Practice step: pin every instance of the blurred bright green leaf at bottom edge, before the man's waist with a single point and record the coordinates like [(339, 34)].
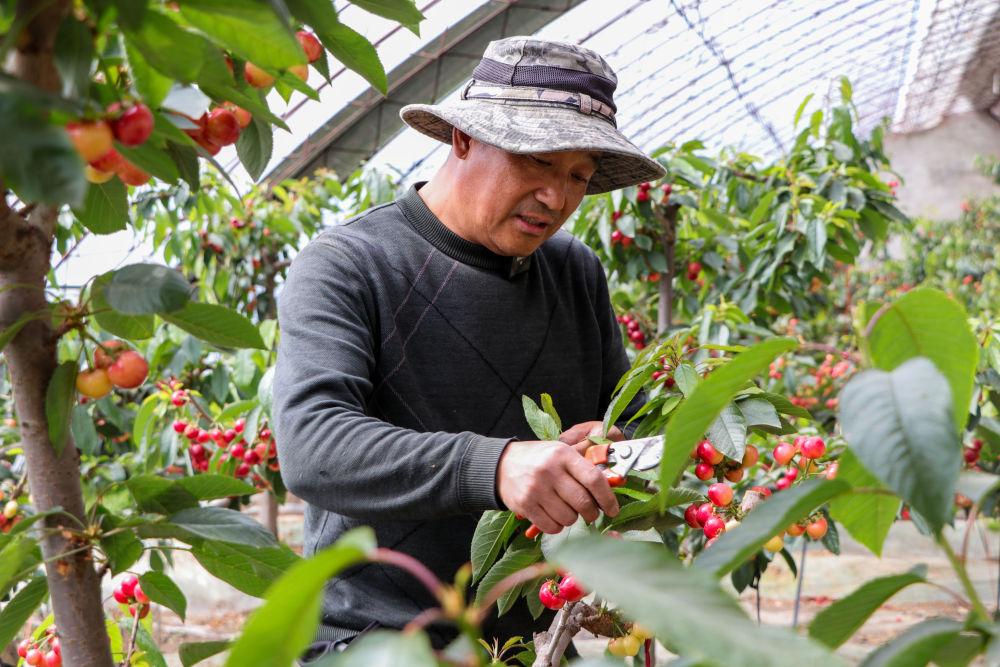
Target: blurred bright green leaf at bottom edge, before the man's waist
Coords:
[(277, 633)]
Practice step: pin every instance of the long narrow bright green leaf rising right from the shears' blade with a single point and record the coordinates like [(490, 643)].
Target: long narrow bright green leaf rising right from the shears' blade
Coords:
[(689, 422)]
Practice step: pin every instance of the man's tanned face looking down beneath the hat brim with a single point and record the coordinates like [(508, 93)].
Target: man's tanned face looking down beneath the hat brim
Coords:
[(514, 202)]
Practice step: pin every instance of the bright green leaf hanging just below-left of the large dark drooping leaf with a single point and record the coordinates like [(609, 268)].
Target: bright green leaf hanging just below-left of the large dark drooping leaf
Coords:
[(866, 516)]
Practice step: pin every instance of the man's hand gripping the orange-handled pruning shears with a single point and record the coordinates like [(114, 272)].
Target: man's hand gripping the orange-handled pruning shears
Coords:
[(552, 484)]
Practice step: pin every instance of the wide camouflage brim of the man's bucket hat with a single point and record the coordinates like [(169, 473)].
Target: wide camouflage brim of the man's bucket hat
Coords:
[(519, 128)]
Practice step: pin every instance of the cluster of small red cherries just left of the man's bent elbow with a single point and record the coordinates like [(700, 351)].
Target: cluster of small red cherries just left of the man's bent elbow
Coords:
[(204, 444)]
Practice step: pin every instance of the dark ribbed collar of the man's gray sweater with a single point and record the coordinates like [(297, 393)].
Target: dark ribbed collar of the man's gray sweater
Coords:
[(437, 234)]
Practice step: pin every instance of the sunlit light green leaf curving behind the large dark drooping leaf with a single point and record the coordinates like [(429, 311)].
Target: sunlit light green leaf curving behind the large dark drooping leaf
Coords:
[(927, 323)]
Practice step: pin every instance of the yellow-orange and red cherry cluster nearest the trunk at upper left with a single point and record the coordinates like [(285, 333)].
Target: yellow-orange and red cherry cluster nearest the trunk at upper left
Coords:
[(129, 125)]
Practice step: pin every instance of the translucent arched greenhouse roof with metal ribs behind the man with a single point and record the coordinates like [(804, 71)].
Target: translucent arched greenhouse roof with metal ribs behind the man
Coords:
[(730, 72)]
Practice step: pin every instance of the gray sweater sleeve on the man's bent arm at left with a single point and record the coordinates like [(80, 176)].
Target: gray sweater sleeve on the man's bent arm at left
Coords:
[(335, 456)]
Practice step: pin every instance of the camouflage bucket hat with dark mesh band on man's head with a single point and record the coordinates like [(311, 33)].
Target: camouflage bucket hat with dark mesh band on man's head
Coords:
[(530, 95)]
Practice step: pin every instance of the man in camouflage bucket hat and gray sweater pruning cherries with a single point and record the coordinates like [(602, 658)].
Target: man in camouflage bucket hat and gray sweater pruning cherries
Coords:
[(410, 334)]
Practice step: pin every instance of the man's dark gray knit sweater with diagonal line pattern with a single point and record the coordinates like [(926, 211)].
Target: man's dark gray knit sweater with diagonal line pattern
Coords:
[(404, 353)]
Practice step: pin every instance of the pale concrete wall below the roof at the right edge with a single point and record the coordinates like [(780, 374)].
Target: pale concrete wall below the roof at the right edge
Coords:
[(938, 165)]
